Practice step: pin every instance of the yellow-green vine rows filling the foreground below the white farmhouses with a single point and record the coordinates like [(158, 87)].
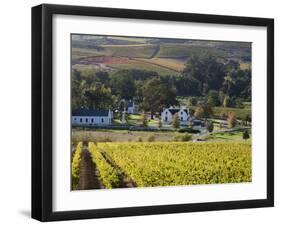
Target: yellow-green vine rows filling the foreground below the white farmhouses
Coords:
[(147, 164)]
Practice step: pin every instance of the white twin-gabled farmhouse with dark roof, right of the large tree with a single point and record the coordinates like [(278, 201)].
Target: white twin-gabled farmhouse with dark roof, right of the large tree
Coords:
[(168, 114)]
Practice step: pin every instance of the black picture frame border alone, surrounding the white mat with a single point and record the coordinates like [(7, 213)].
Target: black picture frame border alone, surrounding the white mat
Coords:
[(42, 111)]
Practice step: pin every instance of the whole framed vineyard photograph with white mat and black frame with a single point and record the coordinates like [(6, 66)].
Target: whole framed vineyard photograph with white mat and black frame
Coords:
[(146, 112)]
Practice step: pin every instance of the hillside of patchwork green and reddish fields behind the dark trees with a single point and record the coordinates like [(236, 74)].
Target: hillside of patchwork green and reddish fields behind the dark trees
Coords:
[(164, 56)]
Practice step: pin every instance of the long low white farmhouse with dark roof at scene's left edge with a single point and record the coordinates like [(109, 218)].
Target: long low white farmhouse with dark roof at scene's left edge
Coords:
[(84, 116)]
